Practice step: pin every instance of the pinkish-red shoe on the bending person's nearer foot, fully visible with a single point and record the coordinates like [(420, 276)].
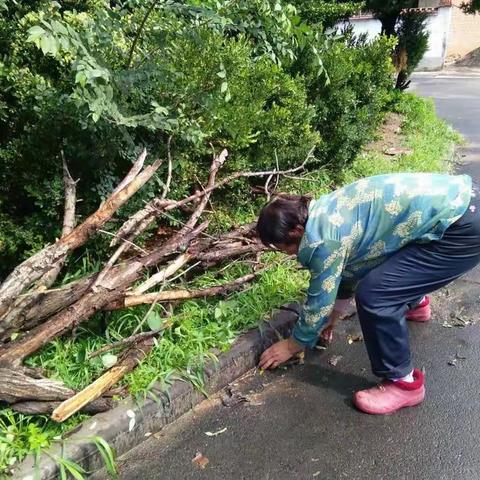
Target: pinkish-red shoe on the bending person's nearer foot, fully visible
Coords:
[(389, 396)]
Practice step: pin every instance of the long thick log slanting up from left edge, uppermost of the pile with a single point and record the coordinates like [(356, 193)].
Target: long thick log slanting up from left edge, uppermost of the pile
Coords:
[(34, 267)]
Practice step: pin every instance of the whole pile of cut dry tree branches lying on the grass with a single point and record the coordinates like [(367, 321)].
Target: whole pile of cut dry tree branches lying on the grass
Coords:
[(36, 313)]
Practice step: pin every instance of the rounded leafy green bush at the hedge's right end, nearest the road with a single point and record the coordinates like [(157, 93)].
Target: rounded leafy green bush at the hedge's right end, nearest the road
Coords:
[(350, 106)]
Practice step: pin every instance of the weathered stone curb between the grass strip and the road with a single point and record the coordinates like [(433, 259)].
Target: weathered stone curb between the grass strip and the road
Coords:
[(125, 426)]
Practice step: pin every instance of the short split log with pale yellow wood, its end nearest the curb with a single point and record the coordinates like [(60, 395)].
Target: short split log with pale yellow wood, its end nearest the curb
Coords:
[(95, 390)]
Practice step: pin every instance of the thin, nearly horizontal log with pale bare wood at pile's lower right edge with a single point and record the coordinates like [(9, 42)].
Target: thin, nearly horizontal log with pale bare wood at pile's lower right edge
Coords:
[(176, 295)]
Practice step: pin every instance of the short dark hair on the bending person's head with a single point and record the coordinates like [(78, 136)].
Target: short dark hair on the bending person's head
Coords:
[(280, 216)]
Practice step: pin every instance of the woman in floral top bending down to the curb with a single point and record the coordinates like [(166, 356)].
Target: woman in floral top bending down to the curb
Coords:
[(385, 241)]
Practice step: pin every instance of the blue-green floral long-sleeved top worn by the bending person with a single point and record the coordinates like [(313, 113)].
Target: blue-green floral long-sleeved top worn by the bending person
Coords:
[(352, 230)]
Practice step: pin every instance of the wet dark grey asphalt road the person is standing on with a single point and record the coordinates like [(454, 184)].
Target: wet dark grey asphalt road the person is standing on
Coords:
[(300, 422)]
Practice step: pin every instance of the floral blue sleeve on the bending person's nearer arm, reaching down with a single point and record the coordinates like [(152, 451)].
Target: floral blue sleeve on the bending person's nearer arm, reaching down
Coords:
[(326, 266)]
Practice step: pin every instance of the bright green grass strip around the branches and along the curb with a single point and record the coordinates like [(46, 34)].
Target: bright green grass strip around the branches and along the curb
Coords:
[(202, 328)]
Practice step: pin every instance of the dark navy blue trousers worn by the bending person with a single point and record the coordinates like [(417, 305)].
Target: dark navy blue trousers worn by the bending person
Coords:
[(385, 294)]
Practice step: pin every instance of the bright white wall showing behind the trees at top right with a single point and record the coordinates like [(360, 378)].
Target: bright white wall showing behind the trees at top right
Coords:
[(438, 25)]
